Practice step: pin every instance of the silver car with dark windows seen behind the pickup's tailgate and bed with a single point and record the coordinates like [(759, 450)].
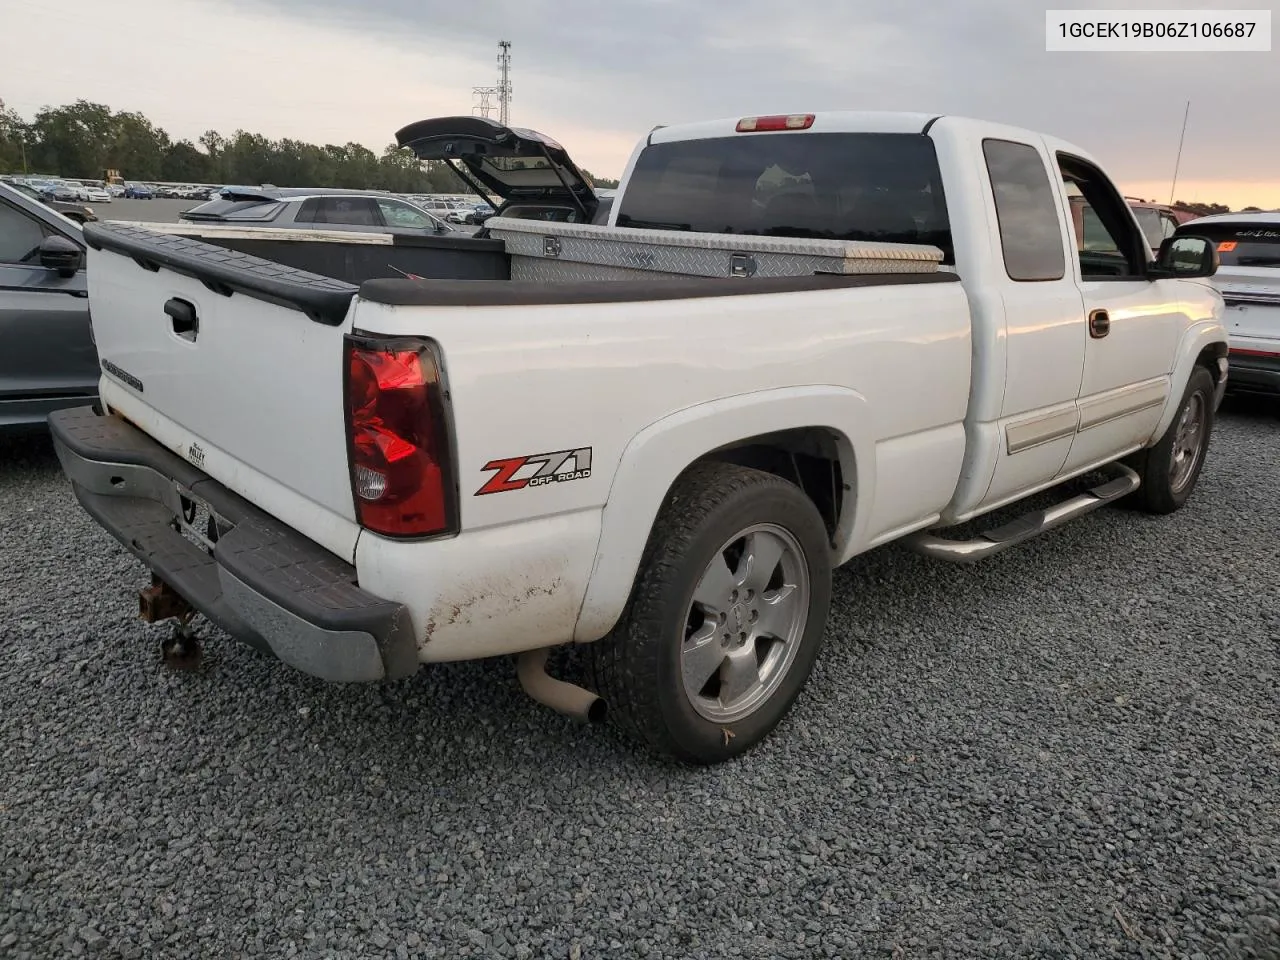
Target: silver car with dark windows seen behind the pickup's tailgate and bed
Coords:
[(318, 211)]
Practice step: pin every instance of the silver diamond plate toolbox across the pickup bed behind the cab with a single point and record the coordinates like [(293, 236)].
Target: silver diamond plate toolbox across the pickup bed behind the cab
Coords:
[(550, 252)]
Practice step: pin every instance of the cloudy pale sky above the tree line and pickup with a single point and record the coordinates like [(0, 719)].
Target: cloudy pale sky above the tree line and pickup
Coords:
[(597, 76)]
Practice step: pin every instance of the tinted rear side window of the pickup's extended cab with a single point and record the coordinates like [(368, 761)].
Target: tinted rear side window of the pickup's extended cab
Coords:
[(1027, 212)]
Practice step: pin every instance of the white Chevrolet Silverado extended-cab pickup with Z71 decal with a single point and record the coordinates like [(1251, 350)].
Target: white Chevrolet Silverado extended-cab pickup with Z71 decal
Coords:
[(636, 456)]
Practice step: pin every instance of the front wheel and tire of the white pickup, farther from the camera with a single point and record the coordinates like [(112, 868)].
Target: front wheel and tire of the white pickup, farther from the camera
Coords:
[(1172, 468)]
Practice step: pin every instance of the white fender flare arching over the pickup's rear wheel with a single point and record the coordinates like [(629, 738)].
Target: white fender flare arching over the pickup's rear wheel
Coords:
[(661, 452)]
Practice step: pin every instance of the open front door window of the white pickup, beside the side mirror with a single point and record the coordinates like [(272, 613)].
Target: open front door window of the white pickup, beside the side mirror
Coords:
[(1109, 245)]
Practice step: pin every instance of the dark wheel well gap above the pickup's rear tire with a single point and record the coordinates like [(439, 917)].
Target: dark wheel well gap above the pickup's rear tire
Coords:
[(807, 456)]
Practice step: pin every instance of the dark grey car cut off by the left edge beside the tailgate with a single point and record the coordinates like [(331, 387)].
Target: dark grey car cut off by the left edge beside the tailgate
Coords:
[(48, 359)]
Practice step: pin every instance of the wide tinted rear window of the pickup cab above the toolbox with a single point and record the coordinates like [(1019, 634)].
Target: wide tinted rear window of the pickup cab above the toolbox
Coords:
[(881, 188)]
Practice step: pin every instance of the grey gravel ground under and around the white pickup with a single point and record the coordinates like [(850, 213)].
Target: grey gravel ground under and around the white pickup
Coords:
[(1069, 752)]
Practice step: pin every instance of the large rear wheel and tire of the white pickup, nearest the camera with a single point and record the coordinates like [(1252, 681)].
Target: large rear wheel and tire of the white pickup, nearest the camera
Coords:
[(726, 616)]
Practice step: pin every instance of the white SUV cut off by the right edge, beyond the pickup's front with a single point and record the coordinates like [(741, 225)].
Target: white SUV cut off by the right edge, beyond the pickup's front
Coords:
[(1249, 246)]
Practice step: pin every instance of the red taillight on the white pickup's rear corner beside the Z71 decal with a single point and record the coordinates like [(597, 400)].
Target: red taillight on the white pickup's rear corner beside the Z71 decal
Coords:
[(399, 441)]
